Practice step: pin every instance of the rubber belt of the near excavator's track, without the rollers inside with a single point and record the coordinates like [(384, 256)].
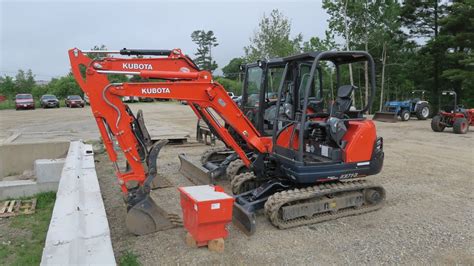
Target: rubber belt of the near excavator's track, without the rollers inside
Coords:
[(276, 201)]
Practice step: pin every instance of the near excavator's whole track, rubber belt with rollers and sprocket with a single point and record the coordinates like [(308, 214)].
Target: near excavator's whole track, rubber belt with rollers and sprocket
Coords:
[(304, 206)]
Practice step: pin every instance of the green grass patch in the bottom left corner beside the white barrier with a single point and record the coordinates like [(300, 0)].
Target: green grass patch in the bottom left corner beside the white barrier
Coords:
[(23, 237)]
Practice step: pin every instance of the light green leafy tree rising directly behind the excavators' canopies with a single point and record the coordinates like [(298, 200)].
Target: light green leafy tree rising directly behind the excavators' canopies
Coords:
[(272, 39)]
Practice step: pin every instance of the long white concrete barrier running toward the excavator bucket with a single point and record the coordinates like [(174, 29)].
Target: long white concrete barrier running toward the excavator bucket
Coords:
[(78, 232)]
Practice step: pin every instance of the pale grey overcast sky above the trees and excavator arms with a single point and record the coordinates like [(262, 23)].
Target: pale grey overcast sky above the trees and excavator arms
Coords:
[(37, 34)]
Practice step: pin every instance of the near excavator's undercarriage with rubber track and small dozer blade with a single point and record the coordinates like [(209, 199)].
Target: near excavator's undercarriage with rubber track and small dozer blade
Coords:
[(293, 207)]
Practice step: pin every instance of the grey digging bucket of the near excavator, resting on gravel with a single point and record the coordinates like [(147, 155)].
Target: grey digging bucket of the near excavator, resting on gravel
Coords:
[(146, 217)]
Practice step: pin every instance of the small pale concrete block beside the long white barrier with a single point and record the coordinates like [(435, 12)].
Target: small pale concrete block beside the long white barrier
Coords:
[(48, 170)]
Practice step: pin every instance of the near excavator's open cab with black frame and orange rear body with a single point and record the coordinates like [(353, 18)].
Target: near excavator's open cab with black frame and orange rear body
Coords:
[(318, 123)]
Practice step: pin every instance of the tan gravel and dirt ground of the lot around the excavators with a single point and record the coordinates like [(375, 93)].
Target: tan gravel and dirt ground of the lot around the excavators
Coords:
[(428, 216)]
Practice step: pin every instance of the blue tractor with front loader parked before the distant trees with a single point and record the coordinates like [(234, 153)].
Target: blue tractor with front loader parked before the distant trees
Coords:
[(416, 106)]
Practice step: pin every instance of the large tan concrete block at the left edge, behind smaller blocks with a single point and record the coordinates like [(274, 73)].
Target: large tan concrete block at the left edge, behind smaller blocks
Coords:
[(15, 158)]
